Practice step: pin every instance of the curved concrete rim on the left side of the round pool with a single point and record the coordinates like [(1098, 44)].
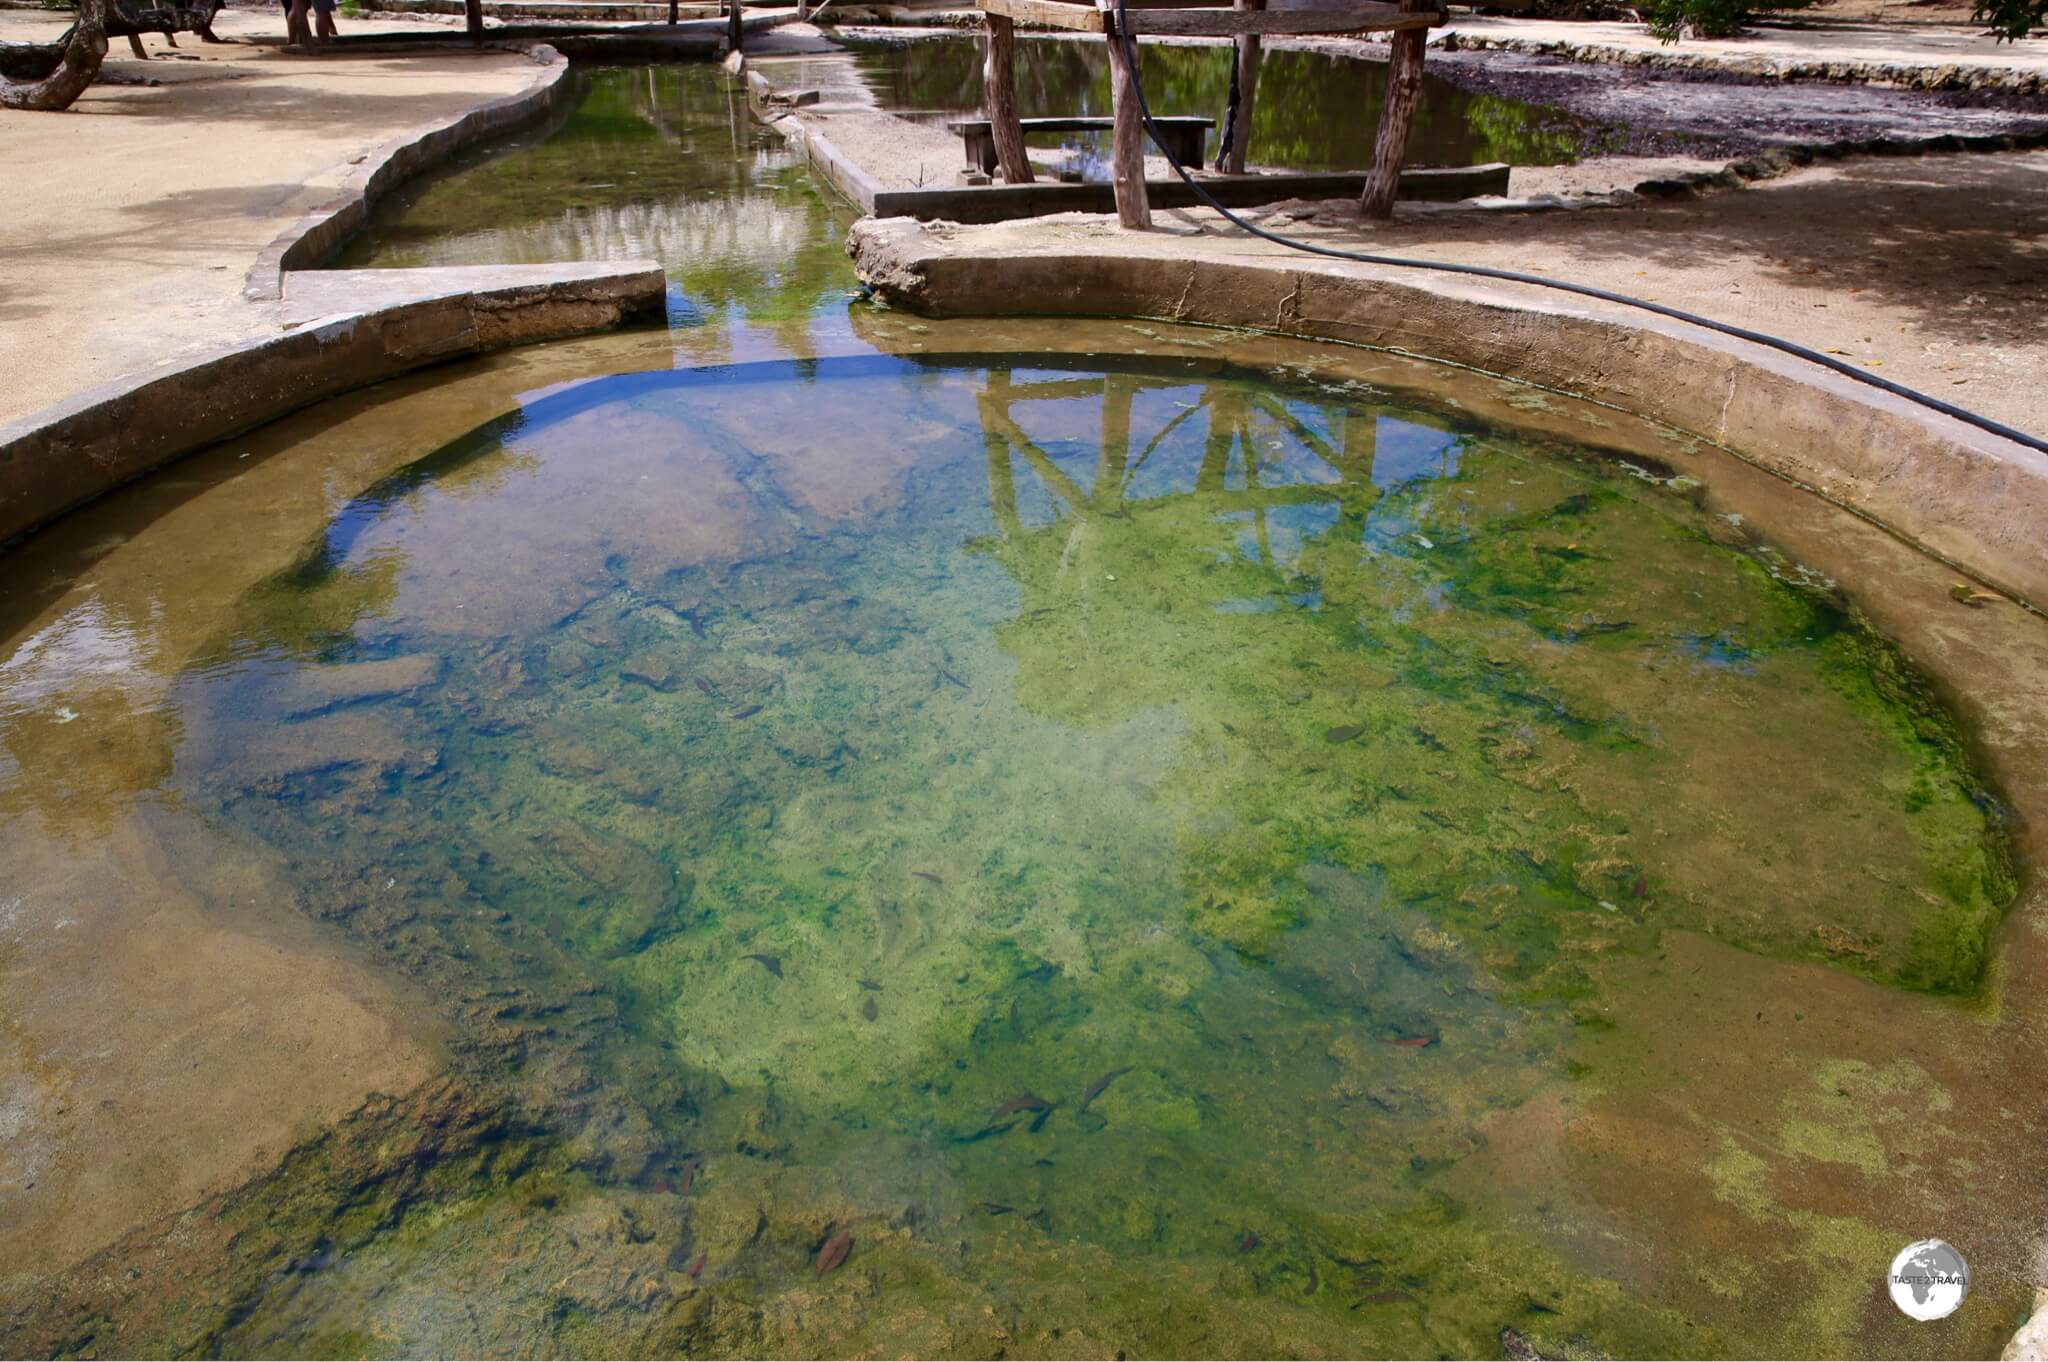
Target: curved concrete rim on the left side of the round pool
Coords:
[(71, 454)]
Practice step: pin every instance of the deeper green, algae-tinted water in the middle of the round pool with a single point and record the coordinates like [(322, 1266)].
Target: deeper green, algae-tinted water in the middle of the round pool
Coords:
[(1107, 839)]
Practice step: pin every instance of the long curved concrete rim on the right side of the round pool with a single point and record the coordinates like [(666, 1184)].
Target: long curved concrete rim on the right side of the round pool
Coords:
[(1969, 499)]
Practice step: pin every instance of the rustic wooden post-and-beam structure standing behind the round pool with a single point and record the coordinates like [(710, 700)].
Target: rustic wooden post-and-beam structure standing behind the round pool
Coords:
[(1244, 22)]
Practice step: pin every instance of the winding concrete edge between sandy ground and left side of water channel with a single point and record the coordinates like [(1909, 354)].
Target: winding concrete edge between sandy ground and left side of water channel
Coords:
[(321, 232)]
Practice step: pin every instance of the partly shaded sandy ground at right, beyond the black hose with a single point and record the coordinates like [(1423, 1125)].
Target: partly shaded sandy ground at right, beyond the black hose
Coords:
[(1932, 271)]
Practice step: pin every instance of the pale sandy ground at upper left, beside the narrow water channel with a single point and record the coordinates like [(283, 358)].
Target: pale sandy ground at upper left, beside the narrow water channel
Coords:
[(136, 216)]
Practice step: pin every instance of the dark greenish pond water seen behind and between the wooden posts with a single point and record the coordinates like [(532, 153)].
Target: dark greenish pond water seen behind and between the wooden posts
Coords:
[(1291, 122)]
